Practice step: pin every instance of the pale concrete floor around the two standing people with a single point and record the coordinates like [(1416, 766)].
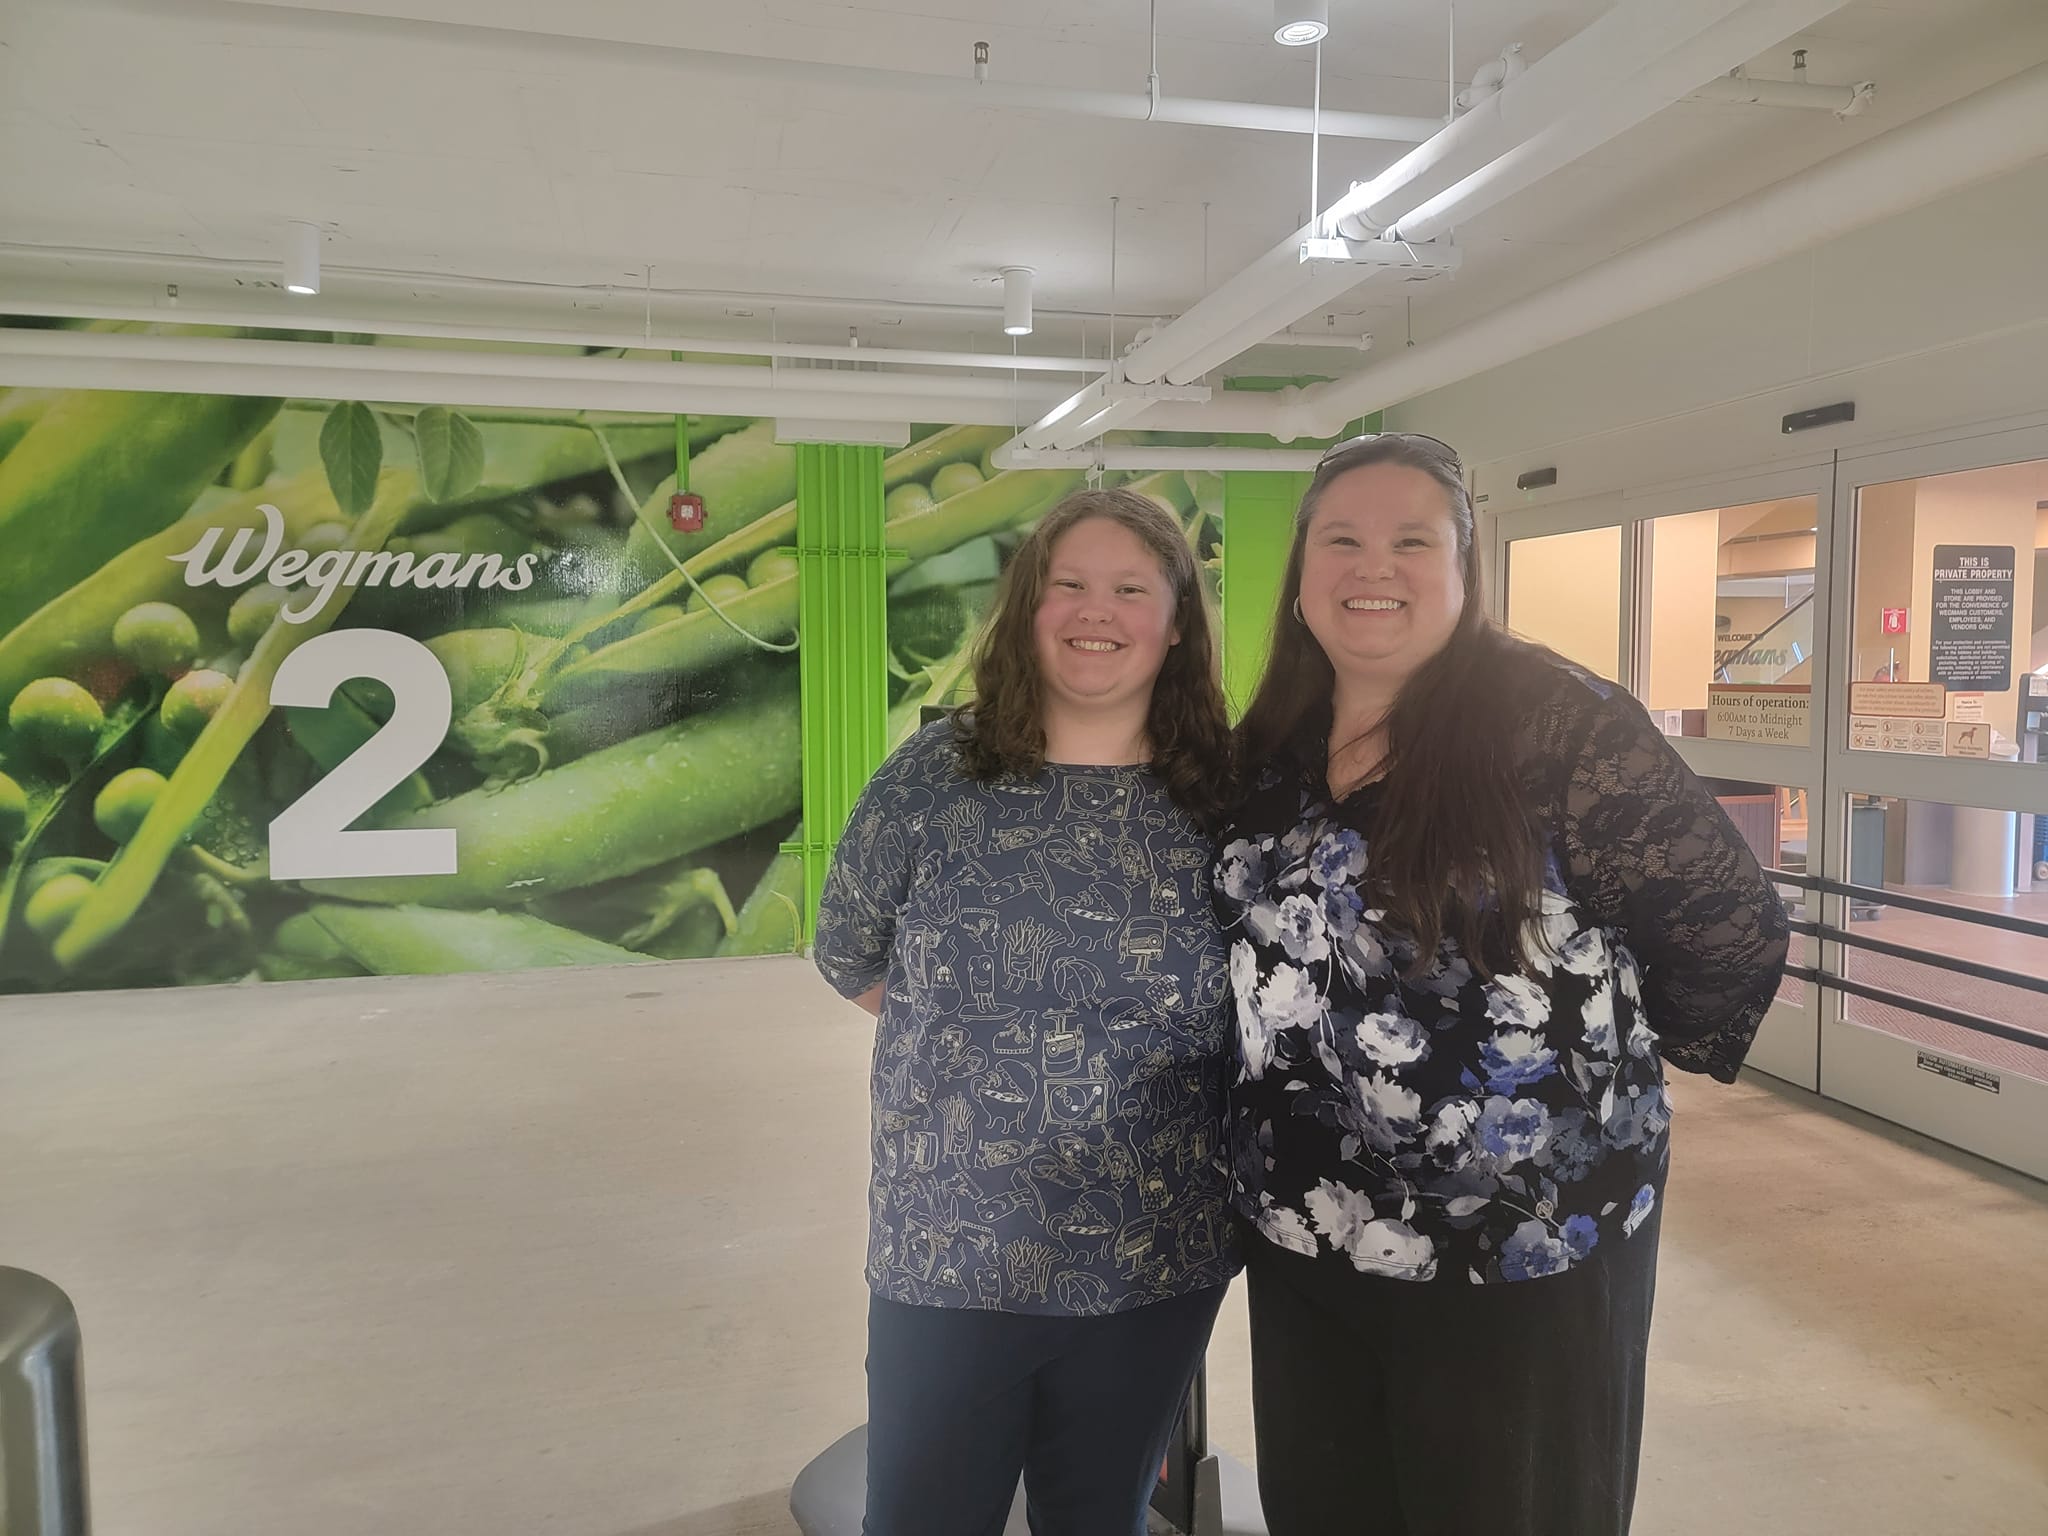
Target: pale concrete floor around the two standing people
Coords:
[(579, 1254)]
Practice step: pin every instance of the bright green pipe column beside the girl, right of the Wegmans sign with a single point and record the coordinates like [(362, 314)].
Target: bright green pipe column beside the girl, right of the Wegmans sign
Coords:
[(843, 620)]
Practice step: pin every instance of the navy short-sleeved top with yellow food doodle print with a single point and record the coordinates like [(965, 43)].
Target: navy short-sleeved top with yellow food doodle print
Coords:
[(1050, 1066)]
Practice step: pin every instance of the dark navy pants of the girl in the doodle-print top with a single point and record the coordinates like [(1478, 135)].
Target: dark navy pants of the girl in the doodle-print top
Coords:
[(962, 1402)]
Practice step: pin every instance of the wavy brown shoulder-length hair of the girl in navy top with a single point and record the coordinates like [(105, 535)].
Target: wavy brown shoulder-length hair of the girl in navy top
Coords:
[(1002, 730)]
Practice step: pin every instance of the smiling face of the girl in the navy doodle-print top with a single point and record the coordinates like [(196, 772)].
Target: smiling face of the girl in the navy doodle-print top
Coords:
[(1105, 624)]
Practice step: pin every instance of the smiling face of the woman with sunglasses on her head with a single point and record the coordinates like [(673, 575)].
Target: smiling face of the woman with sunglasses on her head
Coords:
[(1381, 577)]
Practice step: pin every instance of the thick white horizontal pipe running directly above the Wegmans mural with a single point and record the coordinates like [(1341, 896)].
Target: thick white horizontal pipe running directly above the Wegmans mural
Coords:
[(124, 347)]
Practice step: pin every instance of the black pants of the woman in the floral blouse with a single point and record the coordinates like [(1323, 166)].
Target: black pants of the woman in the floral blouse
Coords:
[(1394, 1408)]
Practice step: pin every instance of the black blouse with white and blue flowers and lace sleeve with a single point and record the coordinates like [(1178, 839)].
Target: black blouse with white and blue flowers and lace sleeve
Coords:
[(1424, 1123)]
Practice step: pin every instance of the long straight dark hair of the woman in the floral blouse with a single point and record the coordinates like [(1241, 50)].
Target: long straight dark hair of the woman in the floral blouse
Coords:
[(1455, 845)]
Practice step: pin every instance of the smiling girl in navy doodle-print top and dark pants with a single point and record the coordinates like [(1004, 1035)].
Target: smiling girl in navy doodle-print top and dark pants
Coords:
[(1023, 898)]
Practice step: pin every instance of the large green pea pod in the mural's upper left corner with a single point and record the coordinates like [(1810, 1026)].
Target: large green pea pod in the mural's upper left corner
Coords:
[(103, 470)]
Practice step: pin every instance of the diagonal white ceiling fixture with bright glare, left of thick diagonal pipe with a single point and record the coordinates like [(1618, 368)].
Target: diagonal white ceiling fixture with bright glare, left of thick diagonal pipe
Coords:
[(1598, 60)]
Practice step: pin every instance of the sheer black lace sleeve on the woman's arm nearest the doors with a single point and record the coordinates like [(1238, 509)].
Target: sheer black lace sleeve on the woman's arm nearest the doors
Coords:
[(1652, 855)]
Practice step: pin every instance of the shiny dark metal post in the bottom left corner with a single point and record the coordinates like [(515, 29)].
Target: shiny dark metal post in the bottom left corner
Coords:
[(42, 1412)]
